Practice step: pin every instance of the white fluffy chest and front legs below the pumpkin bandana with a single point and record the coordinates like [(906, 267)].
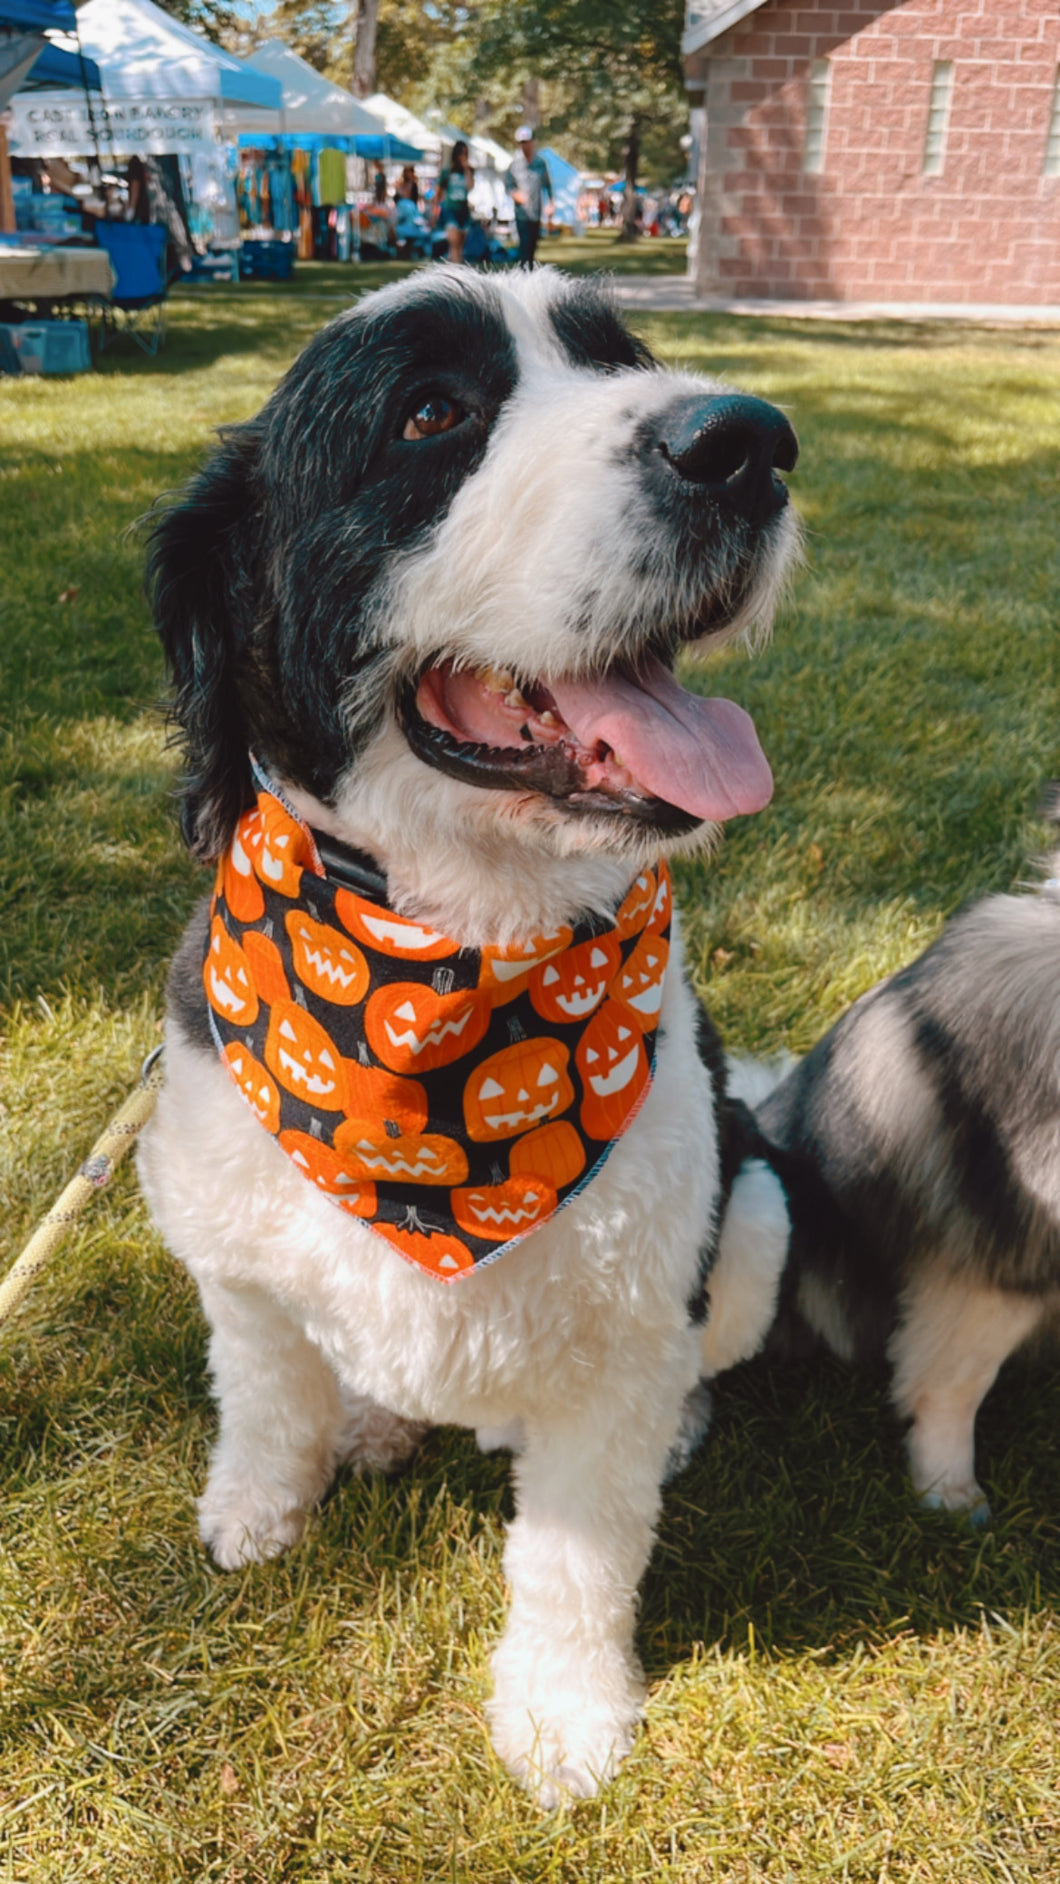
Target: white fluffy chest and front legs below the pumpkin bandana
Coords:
[(581, 1335)]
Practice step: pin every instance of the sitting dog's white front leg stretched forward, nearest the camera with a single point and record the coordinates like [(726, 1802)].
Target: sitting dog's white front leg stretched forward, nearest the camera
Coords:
[(568, 1687)]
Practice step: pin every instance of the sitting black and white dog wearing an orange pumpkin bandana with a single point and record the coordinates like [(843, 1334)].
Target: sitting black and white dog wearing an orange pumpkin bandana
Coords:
[(438, 589)]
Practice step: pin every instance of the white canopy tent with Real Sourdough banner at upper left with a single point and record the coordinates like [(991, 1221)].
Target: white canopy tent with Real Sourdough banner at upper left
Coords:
[(167, 89)]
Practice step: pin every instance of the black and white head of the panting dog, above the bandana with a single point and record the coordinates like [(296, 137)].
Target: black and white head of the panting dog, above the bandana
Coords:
[(440, 583)]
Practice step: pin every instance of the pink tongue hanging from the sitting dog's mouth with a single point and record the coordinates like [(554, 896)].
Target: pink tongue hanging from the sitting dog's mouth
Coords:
[(686, 751)]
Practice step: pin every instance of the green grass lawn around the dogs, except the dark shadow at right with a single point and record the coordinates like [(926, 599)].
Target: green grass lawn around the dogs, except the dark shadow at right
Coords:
[(841, 1687)]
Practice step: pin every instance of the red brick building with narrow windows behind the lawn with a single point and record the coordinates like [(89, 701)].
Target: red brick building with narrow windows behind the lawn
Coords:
[(878, 150)]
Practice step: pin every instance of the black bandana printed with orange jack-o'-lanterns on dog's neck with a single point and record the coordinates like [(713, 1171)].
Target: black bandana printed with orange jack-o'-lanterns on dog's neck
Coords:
[(451, 1099)]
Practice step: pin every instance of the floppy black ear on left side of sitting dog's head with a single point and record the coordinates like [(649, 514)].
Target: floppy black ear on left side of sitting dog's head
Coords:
[(199, 557)]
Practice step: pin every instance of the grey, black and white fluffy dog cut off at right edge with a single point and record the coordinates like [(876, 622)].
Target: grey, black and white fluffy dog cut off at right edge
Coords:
[(920, 1148)]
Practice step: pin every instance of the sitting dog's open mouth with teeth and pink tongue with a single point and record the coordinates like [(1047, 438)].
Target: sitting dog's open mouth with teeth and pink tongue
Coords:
[(628, 741)]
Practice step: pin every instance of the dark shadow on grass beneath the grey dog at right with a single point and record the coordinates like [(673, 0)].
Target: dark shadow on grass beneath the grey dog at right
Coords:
[(797, 1521)]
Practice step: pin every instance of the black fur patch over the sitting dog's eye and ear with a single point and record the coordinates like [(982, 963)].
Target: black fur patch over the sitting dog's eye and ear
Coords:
[(265, 572)]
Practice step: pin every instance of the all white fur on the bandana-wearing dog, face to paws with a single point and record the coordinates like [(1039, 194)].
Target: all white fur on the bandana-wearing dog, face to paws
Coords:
[(579, 1342)]
